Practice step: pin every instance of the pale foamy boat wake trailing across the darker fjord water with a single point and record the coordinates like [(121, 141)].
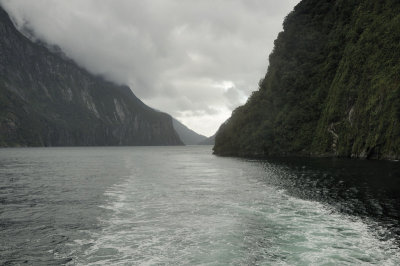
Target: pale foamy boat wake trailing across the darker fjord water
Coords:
[(228, 219)]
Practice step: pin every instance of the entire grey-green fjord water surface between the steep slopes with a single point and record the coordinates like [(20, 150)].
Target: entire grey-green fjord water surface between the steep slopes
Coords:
[(184, 206)]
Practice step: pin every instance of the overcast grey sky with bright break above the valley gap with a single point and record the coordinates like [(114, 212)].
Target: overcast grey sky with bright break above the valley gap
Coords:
[(194, 59)]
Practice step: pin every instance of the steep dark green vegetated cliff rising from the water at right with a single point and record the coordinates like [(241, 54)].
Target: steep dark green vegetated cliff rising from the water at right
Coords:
[(332, 86)]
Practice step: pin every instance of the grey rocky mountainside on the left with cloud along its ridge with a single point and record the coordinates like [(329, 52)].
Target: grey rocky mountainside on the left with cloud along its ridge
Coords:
[(48, 100)]
